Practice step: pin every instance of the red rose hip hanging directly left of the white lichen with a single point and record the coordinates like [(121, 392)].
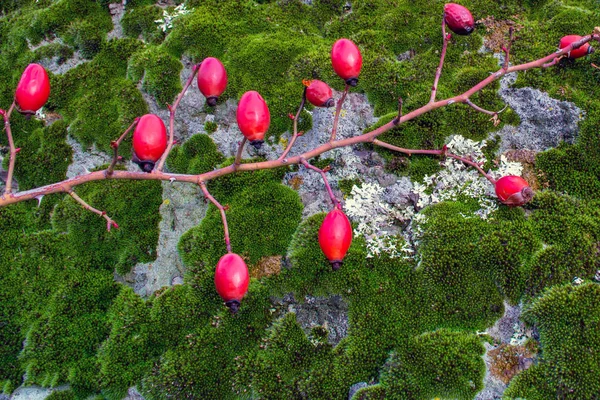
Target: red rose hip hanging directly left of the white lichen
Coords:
[(335, 237)]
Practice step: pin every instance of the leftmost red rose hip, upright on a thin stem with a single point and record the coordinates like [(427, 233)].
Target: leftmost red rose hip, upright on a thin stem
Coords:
[(33, 89)]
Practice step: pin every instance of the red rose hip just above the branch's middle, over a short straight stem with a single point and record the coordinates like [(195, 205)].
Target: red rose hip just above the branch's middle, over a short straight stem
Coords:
[(253, 117)]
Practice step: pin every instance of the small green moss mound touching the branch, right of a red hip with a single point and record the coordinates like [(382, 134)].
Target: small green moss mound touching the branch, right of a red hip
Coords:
[(197, 155)]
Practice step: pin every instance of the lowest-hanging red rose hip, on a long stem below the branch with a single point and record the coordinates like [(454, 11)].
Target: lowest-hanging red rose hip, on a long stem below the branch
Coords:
[(231, 280)]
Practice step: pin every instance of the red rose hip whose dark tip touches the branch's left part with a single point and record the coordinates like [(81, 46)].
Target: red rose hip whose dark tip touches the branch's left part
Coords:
[(149, 141)]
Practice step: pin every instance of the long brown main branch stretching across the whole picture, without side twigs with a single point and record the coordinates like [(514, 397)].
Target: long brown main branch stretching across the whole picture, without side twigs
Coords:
[(66, 185)]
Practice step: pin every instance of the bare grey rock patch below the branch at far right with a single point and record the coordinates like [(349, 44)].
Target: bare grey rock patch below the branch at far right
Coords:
[(545, 122)]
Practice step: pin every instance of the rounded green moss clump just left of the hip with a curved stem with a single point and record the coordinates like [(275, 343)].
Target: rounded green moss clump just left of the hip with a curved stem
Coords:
[(158, 71)]
